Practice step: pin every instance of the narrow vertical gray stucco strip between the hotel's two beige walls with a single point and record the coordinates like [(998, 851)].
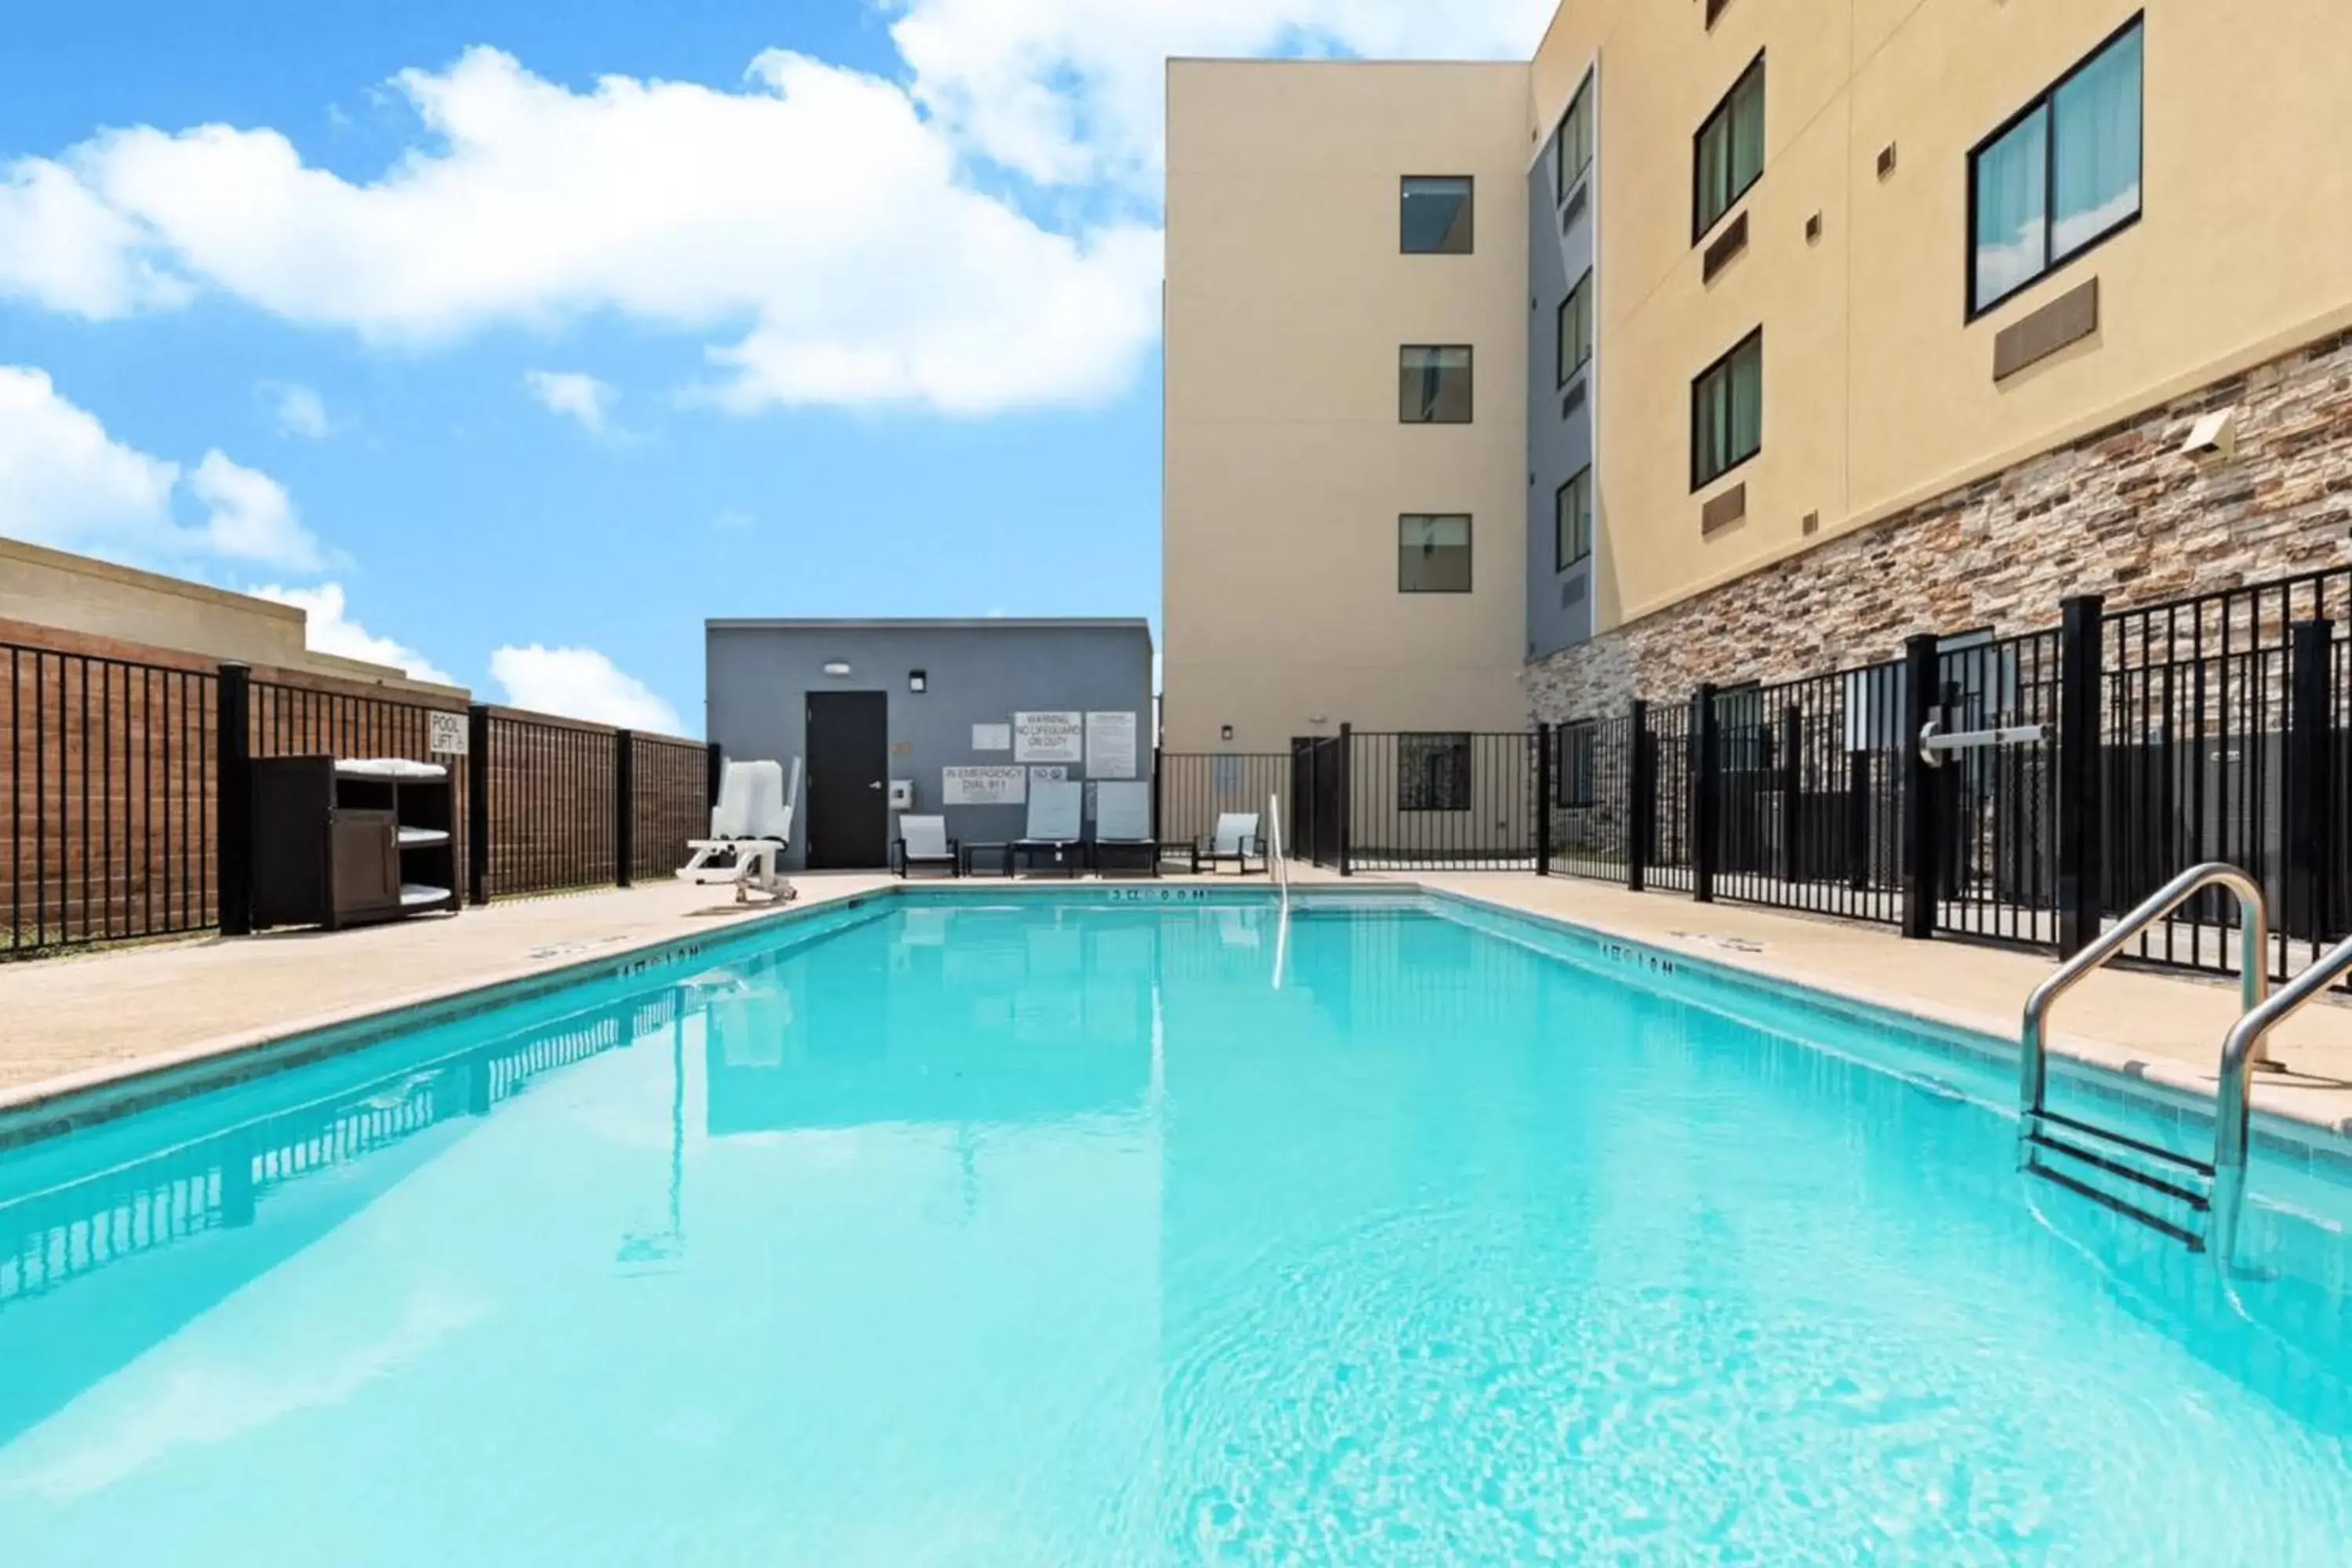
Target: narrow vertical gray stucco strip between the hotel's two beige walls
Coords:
[(1558, 417)]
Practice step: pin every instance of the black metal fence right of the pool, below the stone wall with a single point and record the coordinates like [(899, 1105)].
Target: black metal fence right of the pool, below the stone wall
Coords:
[(2019, 789)]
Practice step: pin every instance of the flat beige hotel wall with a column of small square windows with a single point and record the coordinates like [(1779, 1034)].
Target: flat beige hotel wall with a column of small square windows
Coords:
[(1285, 462)]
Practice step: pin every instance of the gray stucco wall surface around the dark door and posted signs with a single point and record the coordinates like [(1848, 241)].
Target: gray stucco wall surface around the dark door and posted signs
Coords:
[(980, 674)]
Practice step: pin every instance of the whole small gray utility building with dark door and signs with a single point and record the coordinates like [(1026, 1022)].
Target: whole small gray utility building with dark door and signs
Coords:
[(942, 718)]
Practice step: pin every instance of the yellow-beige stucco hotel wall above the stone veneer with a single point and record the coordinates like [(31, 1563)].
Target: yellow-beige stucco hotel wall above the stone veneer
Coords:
[(1878, 391)]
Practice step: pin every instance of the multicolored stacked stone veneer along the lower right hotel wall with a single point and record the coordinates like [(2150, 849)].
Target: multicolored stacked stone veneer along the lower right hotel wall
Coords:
[(2118, 514)]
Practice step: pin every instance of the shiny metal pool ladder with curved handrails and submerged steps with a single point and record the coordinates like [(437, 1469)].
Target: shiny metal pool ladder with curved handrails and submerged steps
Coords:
[(2158, 1174)]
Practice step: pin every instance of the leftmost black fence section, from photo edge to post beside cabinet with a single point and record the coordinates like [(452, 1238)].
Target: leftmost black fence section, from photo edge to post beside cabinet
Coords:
[(107, 782)]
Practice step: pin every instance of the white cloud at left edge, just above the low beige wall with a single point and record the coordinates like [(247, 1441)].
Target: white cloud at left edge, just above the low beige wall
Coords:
[(67, 483)]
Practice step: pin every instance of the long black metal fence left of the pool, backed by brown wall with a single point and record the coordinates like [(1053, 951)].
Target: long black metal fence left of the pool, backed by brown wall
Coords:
[(126, 810)]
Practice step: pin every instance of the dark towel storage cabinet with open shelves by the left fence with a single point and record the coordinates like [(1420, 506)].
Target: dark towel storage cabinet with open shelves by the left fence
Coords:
[(345, 843)]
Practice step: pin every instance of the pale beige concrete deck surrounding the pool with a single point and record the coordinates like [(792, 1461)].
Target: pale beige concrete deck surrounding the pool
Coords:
[(76, 1021)]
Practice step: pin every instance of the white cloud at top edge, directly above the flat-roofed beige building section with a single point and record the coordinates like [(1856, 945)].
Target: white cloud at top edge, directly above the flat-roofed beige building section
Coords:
[(1071, 91)]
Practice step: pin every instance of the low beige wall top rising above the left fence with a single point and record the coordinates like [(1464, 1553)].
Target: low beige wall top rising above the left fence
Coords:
[(76, 594)]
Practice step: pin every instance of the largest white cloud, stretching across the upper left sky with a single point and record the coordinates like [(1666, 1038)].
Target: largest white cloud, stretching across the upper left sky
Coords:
[(815, 225)]
